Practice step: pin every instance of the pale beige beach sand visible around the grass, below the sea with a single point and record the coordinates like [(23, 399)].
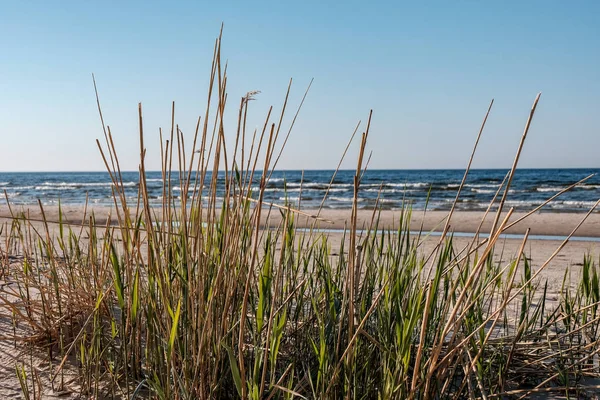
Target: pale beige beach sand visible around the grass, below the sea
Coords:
[(332, 221)]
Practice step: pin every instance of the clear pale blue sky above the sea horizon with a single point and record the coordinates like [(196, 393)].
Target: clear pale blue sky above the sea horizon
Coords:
[(427, 71)]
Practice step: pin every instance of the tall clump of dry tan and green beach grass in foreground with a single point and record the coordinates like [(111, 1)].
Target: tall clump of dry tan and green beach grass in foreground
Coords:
[(199, 299)]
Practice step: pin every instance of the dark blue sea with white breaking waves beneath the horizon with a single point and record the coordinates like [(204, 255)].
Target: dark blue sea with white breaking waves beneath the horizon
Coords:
[(388, 189)]
